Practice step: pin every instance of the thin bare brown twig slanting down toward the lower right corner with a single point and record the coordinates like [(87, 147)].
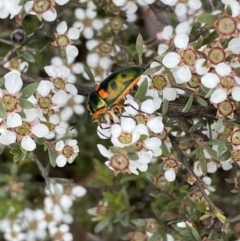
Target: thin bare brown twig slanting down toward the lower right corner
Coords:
[(183, 160)]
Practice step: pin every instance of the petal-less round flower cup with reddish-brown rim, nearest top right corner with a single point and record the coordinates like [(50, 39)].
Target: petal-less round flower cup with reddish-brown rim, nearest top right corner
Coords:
[(226, 26)]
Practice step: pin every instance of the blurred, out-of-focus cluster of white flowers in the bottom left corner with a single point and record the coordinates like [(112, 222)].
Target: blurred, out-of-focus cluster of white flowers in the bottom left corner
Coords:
[(52, 221)]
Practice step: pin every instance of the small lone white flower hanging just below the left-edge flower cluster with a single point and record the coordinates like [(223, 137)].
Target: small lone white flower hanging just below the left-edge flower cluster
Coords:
[(67, 151)]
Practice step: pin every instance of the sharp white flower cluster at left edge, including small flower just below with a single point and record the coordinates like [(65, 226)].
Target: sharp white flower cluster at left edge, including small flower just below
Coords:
[(27, 116)]
